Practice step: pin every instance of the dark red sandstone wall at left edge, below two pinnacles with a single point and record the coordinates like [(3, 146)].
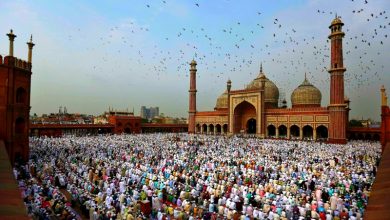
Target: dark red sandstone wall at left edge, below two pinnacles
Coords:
[(11, 78)]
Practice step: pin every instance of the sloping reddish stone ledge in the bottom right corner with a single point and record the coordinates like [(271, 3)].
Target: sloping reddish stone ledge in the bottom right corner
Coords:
[(379, 202)]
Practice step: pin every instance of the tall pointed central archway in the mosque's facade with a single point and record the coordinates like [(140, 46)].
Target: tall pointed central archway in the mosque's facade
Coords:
[(244, 118)]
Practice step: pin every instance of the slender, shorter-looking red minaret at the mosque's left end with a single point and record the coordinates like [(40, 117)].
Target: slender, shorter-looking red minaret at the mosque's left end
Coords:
[(192, 104)]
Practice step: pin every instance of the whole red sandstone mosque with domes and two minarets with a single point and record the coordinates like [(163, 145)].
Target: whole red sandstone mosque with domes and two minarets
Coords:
[(255, 110)]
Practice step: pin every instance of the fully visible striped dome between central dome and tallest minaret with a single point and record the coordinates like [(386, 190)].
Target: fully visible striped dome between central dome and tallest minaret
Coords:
[(306, 95)]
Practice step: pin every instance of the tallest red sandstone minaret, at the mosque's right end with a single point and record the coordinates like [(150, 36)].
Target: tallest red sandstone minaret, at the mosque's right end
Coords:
[(337, 106)]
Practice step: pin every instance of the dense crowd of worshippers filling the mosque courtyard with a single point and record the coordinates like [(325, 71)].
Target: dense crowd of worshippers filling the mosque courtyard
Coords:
[(181, 176)]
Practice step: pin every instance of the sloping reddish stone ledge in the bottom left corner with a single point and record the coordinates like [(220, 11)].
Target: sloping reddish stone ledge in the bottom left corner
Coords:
[(11, 204)]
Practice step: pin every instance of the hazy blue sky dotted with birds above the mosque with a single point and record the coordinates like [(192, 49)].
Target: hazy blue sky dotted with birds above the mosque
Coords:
[(124, 54)]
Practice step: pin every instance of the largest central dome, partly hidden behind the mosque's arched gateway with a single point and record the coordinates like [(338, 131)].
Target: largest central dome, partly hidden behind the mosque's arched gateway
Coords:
[(271, 91)]
